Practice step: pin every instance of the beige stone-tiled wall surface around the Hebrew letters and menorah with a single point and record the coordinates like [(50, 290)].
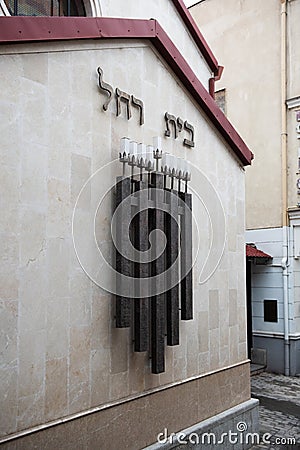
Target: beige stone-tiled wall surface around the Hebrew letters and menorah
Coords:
[(60, 351)]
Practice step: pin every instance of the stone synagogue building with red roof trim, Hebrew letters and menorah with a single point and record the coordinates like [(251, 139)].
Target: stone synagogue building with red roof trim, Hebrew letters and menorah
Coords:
[(123, 309)]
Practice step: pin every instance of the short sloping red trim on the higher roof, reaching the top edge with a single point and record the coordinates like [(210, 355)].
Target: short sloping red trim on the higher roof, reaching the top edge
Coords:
[(197, 35)]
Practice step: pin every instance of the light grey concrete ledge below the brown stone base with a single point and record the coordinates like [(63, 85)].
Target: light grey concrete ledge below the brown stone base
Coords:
[(237, 428)]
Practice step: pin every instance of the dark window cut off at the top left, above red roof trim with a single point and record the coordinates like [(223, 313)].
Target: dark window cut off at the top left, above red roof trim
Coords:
[(45, 7)]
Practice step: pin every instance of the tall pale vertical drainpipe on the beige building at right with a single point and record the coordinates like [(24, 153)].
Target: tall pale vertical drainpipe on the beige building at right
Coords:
[(284, 185)]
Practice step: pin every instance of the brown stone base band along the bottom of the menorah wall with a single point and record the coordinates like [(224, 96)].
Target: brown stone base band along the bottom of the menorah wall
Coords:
[(134, 423)]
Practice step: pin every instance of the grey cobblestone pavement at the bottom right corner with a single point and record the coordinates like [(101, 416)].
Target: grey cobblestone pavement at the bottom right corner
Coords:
[(279, 410)]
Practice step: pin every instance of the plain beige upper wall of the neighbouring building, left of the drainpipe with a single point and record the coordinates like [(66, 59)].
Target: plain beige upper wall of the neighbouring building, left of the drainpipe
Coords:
[(245, 37)]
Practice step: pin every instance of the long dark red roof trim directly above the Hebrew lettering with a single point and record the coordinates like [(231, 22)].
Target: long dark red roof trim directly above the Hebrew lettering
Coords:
[(28, 29)]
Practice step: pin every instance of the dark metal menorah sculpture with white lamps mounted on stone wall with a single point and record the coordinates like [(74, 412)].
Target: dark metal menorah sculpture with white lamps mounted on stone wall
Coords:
[(163, 206)]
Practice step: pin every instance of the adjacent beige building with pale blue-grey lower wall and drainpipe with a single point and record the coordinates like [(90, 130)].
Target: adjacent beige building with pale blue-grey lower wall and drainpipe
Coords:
[(258, 45)]
